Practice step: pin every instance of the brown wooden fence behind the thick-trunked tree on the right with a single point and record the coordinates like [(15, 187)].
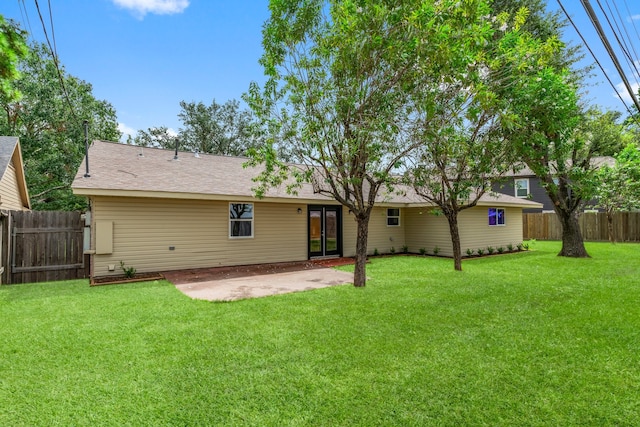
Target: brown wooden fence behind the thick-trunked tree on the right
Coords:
[(546, 226)]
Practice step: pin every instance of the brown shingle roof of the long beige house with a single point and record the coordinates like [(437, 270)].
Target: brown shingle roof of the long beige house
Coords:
[(127, 170)]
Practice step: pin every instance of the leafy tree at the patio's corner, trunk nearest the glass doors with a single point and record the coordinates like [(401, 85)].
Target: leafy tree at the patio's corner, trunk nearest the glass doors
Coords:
[(337, 95)]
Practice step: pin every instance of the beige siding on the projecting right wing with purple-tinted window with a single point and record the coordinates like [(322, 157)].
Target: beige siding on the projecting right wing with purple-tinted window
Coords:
[(428, 230)]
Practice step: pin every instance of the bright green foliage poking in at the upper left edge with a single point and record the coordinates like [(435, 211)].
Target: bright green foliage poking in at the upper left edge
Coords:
[(13, 47)]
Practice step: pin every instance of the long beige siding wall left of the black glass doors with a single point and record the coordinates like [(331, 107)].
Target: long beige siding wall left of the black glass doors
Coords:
[(145, 229)]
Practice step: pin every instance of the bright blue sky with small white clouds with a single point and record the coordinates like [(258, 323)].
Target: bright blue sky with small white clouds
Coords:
[(145, 56)]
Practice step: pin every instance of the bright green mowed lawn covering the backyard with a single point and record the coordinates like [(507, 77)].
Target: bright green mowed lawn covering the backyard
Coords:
[(519, 339)]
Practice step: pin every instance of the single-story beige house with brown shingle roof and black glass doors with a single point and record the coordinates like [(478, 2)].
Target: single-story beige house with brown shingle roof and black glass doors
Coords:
[(155, 211)]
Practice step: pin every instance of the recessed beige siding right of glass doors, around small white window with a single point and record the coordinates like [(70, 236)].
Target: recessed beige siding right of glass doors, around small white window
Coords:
[(381, 236)]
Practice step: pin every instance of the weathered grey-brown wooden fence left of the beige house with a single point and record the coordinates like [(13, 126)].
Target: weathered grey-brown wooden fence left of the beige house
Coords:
[(42, 246)]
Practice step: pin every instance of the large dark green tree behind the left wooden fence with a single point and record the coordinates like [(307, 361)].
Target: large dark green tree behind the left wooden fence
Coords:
[(48, 119)]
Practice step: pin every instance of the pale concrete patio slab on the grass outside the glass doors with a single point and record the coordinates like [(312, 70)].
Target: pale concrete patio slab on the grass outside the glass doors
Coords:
[(263, 285)]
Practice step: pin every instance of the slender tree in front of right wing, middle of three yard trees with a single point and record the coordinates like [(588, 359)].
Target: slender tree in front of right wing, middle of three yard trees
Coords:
[(465, 148)]
